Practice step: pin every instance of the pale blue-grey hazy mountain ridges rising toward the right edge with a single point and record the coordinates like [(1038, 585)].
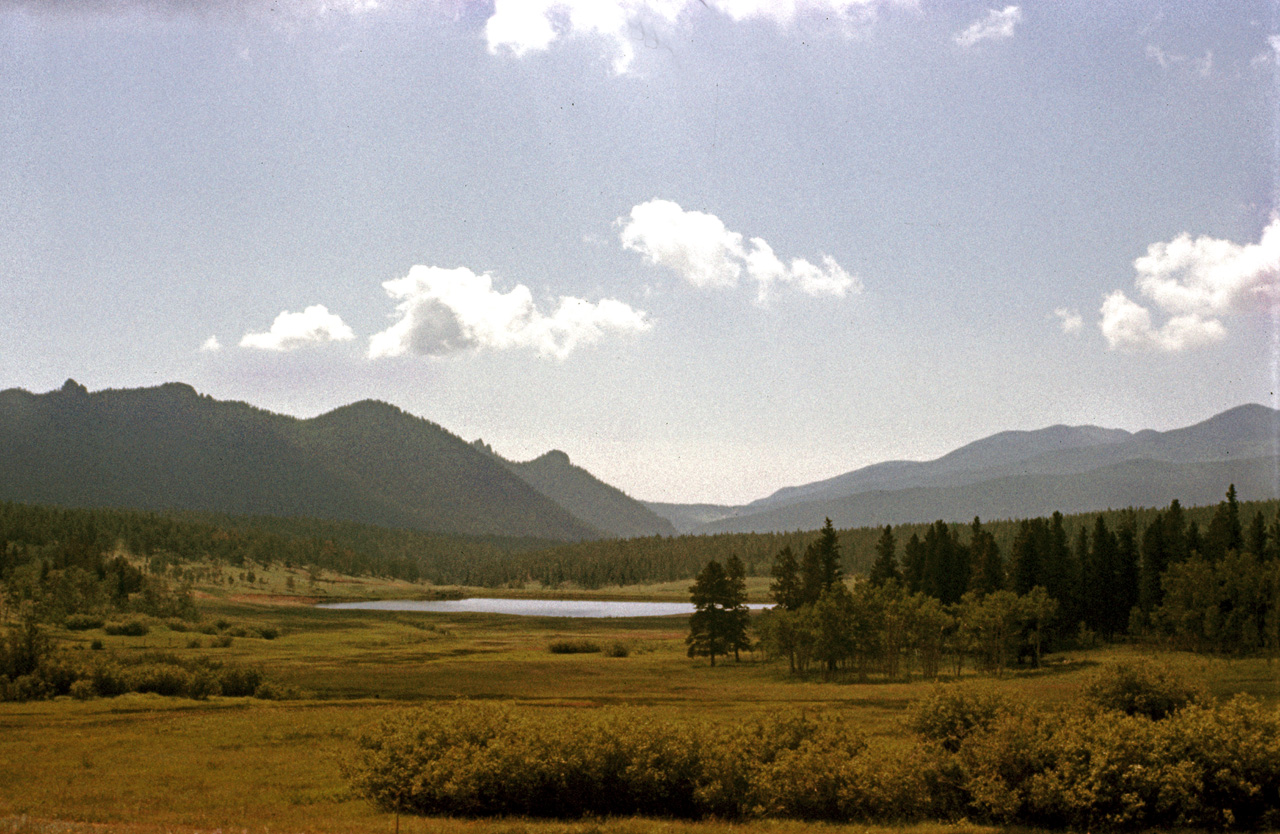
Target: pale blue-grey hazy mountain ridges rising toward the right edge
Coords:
[(1020, 474)]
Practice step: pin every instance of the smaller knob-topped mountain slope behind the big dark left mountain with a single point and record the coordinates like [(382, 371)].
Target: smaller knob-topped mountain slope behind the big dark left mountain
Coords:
[(605, 507)]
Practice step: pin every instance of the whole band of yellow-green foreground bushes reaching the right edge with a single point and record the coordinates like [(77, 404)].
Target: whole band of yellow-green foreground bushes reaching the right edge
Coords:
[(1101, 764)]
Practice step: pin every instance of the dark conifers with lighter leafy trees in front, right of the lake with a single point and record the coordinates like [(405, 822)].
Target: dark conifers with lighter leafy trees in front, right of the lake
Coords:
[(954, 599)]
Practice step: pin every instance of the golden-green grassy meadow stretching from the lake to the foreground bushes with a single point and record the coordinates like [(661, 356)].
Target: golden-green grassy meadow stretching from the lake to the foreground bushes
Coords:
[(143, 763)]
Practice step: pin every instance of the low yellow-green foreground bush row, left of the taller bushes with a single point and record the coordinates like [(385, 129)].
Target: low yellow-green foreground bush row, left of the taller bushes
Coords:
[(483, 759)]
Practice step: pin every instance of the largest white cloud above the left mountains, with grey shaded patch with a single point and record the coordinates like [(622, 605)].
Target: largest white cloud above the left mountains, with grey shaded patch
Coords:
[(445, 311)]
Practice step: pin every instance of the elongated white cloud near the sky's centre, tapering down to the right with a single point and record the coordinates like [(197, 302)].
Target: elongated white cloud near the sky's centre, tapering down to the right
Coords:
[(706, 254)]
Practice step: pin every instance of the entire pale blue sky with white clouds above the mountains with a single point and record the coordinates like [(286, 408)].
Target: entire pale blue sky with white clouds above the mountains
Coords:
[(708, 249)]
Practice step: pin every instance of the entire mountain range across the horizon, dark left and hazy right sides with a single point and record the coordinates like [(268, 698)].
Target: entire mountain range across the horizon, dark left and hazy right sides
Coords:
[(172, 448)]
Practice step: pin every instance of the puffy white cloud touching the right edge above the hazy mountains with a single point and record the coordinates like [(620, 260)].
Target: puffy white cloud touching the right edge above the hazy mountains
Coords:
[(1196, 283)]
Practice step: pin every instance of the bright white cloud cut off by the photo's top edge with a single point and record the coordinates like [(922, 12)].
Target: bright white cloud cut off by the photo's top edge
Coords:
[(531, 26)]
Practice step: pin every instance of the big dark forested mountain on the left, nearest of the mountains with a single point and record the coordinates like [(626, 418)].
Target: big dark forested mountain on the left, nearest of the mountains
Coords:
[(170, 447)]
